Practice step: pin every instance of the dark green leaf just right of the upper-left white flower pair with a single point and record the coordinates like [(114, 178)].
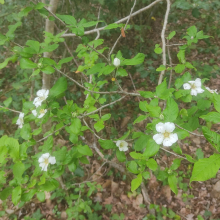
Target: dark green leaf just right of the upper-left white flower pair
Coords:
[(59, 87)]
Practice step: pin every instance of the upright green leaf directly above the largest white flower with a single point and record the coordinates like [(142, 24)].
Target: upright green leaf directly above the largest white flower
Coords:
[(171, 111)]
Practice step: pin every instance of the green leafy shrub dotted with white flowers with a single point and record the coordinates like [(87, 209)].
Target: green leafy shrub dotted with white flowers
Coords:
[(167, 123)]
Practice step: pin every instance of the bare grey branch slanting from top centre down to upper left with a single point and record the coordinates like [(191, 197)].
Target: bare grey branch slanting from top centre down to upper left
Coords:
[(117, 22)]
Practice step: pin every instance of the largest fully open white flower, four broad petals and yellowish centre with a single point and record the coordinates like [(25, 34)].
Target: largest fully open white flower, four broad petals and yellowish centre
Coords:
[(166, 136)]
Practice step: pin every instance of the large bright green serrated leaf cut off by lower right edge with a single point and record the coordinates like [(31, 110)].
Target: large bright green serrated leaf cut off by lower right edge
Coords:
[(205, 169)]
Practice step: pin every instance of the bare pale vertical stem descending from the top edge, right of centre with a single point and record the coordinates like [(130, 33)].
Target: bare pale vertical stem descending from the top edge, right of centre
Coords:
[(163, 41)]
